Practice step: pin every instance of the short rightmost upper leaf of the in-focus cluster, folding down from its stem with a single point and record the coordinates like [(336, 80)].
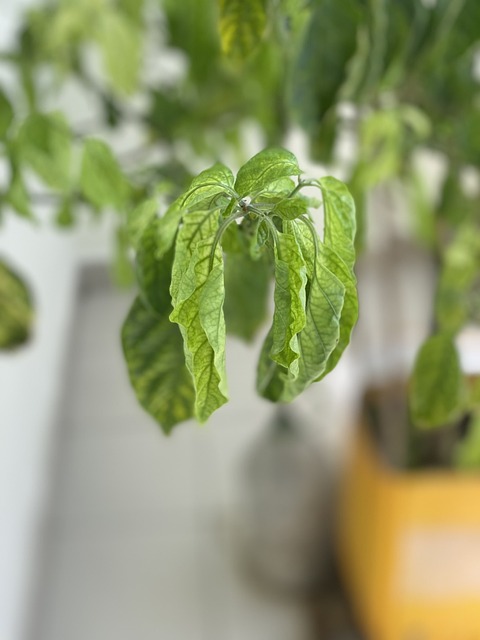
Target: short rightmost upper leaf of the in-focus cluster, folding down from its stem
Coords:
[(340, 221)]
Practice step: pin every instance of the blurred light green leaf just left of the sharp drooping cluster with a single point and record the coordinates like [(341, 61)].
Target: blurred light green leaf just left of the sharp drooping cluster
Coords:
[(101, 179)]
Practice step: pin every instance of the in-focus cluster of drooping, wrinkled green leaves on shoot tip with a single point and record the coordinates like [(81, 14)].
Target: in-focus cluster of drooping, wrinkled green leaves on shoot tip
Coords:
[(216, 249)]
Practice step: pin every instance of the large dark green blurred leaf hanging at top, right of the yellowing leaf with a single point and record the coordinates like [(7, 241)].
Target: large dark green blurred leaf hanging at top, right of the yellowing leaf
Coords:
[(321, 68)]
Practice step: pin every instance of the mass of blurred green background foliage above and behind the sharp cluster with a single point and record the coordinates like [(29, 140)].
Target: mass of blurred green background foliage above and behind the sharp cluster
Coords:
[(409, 71)]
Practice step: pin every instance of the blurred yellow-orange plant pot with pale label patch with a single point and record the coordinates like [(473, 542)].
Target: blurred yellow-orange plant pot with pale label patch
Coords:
[(409, 549)]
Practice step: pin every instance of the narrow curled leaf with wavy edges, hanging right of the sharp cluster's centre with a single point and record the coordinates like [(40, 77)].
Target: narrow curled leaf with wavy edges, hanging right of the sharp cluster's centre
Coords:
[(290, 298)]
